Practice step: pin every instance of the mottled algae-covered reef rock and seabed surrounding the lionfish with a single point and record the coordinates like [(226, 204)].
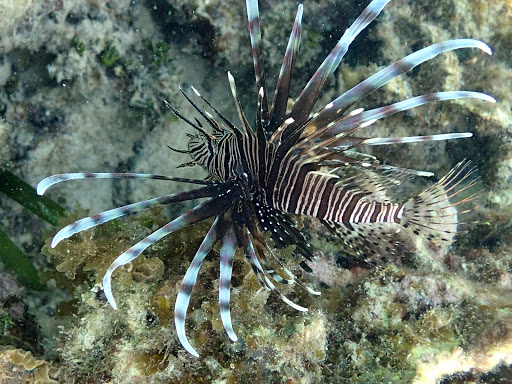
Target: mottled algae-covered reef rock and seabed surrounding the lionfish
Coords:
[(82, 88)]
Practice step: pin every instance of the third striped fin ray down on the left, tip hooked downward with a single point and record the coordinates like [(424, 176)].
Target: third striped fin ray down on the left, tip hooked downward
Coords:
[(203, 211)]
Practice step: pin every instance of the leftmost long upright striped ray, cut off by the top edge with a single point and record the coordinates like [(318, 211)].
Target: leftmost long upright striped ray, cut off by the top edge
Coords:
[(253, 16)]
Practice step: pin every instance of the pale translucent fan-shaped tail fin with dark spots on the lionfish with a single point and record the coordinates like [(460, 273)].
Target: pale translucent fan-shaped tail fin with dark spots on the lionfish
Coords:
[(434, 213)]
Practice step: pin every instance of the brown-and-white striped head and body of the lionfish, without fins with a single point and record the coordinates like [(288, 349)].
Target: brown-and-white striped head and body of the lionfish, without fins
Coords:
[(300, 189)]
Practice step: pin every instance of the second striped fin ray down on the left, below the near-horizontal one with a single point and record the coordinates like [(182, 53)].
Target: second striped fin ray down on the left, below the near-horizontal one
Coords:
[(103, 217)]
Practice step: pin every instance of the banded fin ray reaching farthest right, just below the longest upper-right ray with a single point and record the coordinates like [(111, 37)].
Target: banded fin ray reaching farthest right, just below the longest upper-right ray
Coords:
[(337, 130)]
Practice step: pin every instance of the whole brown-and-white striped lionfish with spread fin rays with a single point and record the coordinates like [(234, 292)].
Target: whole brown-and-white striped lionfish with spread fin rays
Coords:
[(296, 162)]
